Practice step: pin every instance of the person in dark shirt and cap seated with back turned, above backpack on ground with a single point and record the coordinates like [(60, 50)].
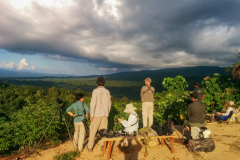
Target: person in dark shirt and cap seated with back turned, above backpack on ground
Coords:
[(196, 113)]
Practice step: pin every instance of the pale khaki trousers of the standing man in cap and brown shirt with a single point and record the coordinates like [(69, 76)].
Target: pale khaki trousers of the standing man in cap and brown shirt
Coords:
[(147, 113)]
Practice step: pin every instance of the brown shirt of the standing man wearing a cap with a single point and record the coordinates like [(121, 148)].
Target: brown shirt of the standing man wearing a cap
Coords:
[(147, 94)]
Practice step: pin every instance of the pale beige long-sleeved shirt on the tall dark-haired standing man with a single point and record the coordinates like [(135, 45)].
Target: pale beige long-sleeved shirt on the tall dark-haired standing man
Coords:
[(100, 104)]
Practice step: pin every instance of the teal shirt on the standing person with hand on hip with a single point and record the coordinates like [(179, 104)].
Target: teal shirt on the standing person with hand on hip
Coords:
[(78, 108)]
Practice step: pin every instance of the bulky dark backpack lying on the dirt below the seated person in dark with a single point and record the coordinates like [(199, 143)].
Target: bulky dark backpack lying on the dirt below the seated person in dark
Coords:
[(202, 144)]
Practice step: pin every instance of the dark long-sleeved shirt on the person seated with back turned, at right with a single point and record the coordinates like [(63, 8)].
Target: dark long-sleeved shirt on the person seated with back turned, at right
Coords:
[(196, 112)]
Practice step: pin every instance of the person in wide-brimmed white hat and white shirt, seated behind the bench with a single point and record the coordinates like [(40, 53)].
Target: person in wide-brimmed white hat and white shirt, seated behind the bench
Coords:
[(131, 124)]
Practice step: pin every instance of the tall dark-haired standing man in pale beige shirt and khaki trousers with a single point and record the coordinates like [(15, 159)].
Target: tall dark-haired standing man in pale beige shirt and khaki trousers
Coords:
[(100, 106)]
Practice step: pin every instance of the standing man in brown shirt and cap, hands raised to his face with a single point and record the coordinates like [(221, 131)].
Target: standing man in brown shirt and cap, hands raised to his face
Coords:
[(147, 98)]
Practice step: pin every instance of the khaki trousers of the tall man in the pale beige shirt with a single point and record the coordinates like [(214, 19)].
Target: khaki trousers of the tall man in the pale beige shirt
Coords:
[(98, 123)]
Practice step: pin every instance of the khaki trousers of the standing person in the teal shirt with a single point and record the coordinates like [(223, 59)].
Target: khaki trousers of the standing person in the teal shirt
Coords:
[(79, 135)]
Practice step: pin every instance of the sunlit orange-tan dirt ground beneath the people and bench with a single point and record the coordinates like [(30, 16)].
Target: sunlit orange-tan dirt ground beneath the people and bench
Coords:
[(225, 136)]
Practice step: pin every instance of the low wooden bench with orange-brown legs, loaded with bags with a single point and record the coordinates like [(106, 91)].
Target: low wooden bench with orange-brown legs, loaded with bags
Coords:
[(138, 137)]
